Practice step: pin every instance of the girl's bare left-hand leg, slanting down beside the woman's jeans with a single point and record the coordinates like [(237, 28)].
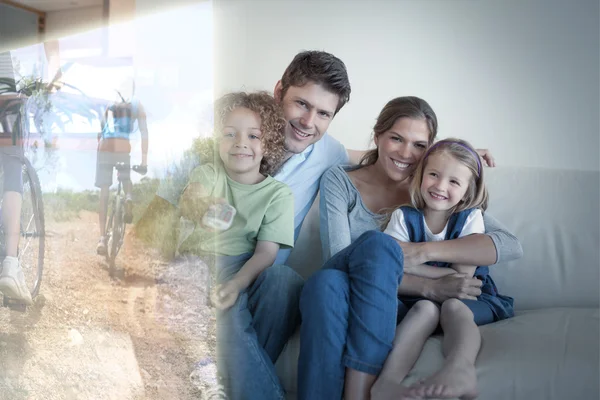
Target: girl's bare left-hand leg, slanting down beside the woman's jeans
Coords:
[(411, 334)]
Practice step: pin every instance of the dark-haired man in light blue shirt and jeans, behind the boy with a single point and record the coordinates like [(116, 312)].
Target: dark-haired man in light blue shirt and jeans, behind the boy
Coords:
[(252, 334)]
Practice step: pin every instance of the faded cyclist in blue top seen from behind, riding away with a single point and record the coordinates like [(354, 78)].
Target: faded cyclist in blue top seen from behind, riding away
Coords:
[(118, 123)]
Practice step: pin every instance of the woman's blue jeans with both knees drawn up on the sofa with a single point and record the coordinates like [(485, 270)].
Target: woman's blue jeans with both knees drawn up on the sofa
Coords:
[(349, 313)]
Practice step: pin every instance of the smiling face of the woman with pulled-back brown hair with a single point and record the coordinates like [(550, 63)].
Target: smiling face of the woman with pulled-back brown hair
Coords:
[(401, 147)]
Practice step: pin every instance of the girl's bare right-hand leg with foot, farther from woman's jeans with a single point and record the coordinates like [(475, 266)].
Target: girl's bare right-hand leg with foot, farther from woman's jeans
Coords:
[(462, 341)]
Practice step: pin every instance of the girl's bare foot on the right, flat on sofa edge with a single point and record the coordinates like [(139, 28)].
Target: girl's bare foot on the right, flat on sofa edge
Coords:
[(453, 380)]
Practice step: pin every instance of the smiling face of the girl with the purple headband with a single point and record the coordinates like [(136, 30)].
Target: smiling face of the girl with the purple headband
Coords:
[(445, 181)]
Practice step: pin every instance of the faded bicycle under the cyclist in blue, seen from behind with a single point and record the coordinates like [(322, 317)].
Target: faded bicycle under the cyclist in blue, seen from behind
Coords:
[(115, 225)]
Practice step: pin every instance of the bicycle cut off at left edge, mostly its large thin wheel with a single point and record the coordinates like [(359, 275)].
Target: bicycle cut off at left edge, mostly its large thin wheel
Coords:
[(31, 247)]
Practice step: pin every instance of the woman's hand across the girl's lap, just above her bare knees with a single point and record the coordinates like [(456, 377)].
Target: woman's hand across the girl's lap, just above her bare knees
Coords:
[(457, 286)]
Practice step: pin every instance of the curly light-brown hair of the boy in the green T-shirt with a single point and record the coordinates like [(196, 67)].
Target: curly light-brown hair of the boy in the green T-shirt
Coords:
[(272, 124)]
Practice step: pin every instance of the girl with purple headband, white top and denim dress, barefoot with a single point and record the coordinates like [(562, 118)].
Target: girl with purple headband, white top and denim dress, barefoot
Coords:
[(448, 197)]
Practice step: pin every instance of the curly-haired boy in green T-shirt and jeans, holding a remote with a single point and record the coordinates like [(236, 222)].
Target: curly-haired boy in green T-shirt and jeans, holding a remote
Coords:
[(250, 140)]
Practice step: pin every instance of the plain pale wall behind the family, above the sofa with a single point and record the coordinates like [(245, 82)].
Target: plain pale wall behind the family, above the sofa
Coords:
[(519, 77)]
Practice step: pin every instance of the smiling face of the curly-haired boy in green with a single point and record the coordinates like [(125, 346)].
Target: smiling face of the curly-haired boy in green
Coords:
[(240, 146)]
